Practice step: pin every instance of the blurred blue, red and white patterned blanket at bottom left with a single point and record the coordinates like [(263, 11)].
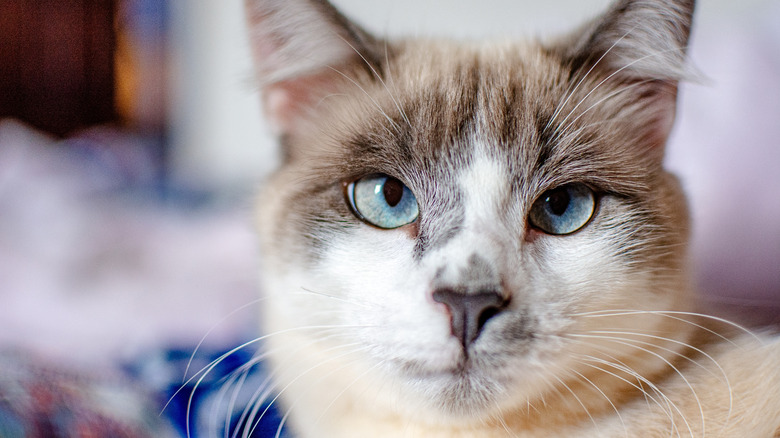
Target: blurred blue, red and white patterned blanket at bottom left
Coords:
[(170, 393)]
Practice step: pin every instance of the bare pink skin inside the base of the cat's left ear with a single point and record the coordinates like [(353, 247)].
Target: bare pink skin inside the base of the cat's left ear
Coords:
[(289, 102)]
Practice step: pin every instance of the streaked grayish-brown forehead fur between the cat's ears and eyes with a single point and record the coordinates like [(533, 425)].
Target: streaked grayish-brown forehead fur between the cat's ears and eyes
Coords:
[(436, 100)]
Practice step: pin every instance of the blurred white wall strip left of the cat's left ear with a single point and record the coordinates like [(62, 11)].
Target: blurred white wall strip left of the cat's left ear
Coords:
[(218, 137)]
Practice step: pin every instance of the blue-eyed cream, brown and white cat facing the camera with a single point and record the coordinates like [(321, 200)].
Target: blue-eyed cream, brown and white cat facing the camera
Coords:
[(480, 239)]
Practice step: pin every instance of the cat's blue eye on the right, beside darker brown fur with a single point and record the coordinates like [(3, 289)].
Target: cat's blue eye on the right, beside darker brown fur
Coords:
[(563, 210)]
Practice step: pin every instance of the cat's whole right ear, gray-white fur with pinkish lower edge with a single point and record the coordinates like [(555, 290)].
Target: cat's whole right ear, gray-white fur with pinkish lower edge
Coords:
[(642, 42)]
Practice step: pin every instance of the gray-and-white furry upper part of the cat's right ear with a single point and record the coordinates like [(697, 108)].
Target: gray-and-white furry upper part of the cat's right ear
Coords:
[(640, 39)]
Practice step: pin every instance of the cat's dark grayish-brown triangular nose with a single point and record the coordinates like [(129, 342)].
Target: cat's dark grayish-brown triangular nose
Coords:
[(470, 312)]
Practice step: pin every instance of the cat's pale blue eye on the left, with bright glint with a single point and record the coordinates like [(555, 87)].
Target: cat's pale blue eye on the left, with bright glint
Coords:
[(382, 201)]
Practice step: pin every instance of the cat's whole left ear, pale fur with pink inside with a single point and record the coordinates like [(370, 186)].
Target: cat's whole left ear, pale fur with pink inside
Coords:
[(300, 50)]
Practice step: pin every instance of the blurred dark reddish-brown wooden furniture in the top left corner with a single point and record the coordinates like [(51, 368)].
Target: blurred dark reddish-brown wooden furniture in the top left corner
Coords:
[(57, 62)]
